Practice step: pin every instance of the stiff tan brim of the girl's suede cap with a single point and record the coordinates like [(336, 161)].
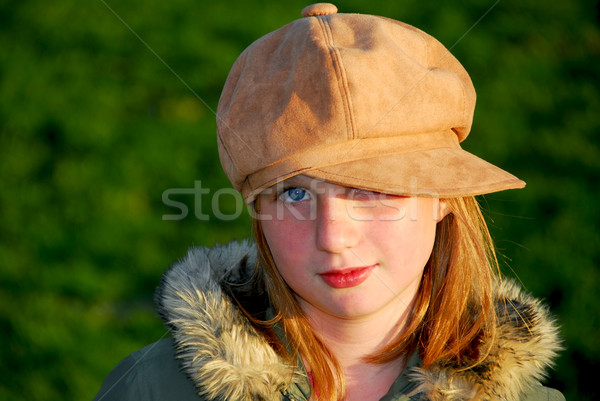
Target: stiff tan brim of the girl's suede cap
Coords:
[(443, 173)]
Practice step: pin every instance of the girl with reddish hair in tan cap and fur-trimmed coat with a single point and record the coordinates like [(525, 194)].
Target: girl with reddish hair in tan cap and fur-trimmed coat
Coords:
[(373, 276)]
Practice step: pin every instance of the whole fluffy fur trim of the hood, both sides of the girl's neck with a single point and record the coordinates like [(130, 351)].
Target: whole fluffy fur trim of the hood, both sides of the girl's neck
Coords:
[(228, 360)]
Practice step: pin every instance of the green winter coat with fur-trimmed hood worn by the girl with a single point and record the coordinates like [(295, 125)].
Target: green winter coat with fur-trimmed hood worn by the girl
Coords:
[(215, 354)]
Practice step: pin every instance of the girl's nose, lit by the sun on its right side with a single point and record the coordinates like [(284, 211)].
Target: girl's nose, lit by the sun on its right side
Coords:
[(336, 229)]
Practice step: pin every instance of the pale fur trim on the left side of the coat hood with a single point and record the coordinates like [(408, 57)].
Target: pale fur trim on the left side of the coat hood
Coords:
[(219, 349)]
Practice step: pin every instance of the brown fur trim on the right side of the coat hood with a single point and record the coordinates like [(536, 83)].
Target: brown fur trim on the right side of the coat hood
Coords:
[(526, 344)]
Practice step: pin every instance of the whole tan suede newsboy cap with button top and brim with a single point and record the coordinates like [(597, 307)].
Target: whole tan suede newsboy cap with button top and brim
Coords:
[(357, 100)]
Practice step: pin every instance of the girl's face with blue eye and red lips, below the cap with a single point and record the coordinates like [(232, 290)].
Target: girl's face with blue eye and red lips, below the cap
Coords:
[(346, 252)]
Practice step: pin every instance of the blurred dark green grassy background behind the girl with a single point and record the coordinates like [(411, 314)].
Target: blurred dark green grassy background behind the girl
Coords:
[(106, 105)]
